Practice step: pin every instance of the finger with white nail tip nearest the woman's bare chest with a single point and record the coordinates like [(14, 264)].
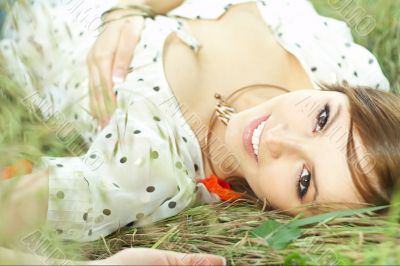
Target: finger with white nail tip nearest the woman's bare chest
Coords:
[(130, 36)]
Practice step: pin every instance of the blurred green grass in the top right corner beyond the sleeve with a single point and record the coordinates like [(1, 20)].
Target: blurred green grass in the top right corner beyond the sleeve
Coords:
[(383, 40)]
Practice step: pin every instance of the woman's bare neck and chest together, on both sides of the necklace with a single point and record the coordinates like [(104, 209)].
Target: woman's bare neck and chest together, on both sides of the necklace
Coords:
[(233, 55)]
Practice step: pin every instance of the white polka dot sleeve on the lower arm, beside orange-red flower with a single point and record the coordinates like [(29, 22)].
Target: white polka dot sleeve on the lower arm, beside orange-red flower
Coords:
[(137, 171)]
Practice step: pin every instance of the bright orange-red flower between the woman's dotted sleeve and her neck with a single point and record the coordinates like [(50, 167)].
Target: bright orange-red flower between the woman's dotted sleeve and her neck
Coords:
[(220, 187)]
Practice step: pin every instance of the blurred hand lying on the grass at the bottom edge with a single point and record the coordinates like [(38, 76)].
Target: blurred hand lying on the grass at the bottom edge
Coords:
[(148, 256)]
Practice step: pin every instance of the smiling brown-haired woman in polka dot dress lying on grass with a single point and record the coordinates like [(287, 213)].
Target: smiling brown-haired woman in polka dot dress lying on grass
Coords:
[(306, 114)]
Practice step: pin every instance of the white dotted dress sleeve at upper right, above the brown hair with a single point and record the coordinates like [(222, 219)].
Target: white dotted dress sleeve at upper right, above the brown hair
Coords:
[(323, 45)]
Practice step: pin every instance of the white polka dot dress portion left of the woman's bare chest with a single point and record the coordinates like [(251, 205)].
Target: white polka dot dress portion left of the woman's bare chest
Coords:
[(139, 169)]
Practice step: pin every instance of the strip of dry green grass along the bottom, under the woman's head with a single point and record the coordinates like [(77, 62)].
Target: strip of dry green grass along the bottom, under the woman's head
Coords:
[(224, 229)]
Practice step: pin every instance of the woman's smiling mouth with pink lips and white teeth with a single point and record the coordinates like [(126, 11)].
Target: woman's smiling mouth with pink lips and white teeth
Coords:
[(252, 136)]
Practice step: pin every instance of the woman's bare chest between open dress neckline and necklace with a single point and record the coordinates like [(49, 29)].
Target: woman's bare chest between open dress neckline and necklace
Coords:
[(237, 50)]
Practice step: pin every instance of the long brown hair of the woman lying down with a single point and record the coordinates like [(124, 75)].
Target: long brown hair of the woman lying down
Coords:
[(375, 116)]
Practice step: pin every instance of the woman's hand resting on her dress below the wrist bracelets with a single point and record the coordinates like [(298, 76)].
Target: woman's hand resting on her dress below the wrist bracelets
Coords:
[(108, 61)]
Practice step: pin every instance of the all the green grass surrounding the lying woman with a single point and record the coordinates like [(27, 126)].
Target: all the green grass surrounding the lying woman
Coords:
[(224, 228)]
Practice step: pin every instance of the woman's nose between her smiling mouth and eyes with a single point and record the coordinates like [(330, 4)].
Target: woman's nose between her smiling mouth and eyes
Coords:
[(280, 140)]
